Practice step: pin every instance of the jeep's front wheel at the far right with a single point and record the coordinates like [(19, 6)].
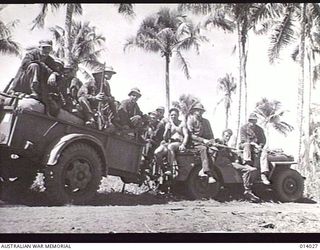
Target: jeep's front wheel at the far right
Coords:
[(288, 185)]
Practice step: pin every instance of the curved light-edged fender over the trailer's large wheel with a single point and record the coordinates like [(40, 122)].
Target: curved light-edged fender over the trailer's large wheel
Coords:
[(55, 149)]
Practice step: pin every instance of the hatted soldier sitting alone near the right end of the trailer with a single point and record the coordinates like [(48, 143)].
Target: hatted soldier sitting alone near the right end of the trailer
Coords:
[(129, 112)]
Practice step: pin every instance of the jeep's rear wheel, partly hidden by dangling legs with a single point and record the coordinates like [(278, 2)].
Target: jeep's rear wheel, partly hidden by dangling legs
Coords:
[(199, 188)]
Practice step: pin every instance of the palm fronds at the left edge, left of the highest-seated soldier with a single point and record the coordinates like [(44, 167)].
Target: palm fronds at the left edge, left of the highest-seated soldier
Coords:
[(7, 45)]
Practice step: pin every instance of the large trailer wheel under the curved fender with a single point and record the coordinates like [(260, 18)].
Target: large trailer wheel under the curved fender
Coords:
[(76, 177)]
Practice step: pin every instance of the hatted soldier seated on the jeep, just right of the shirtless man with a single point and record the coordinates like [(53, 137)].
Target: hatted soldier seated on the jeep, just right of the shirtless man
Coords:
[(201, 137)]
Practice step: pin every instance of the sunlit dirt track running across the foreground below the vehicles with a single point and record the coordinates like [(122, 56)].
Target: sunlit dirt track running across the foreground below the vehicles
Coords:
[(145, 213)]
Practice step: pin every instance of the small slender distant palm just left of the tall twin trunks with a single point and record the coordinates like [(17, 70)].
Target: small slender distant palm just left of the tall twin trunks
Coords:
[(227, 86)]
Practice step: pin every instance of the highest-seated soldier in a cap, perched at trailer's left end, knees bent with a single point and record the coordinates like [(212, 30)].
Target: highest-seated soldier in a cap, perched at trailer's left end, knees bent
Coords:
[(36, 70)]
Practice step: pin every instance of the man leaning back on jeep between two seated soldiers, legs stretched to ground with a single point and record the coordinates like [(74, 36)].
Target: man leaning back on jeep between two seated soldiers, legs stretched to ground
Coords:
[(228, 157)]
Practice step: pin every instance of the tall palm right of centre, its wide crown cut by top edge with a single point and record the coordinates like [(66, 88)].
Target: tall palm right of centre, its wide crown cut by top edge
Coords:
[(239, 18)]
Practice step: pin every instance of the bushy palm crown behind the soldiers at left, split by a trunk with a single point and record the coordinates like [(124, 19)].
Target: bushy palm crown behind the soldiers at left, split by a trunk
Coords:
[(85, 46)]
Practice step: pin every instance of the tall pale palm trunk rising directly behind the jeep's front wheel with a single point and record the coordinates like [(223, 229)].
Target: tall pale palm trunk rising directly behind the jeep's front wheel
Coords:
[(301, 83)]
